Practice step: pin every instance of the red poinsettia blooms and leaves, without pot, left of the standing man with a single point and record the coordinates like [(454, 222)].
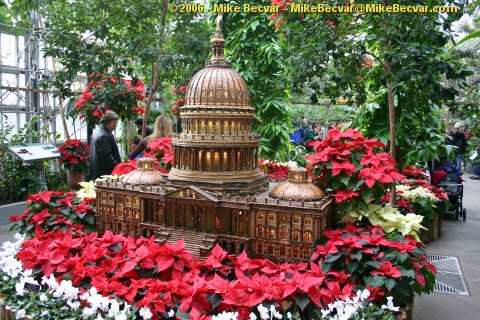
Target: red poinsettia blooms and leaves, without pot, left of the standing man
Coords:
[(74, 155)]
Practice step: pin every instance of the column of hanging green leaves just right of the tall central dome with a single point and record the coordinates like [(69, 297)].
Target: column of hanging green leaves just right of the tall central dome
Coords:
[(253, 48)]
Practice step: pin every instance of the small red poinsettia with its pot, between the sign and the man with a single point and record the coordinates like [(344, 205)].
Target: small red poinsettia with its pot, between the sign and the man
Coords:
[(74, 155)]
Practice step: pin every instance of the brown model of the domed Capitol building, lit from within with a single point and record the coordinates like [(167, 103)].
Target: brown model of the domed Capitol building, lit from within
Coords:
[(215, 192)]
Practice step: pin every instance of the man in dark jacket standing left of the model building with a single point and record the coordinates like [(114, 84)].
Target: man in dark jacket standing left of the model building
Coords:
[(104, 154)]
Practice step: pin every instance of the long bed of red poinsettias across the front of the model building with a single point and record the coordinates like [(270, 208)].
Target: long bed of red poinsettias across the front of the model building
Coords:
[(166, 277)]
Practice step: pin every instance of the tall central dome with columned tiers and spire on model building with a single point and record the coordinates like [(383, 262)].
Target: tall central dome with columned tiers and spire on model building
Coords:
[(217, 150)]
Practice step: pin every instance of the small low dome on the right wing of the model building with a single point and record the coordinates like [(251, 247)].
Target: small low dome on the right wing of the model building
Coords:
[(297, 187)]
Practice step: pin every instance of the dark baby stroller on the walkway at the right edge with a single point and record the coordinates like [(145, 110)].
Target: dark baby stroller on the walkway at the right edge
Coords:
[(452, 184)]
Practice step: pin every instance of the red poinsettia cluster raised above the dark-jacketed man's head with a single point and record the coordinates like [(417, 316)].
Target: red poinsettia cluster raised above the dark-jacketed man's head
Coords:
[(108, 93)]
